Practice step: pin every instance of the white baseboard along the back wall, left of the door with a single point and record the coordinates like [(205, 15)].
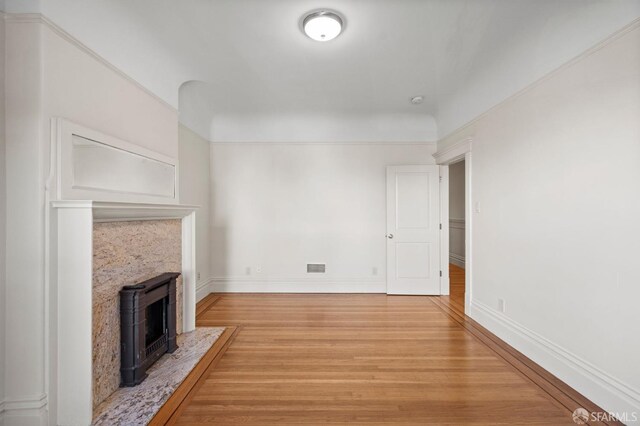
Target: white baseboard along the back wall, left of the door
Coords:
[(232, 285)]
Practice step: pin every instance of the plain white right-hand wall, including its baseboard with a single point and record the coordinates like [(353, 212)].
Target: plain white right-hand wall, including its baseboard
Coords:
[(556, 180)]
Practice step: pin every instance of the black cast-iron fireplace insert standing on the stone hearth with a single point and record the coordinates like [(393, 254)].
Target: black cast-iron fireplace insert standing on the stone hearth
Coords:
[(147, 325)]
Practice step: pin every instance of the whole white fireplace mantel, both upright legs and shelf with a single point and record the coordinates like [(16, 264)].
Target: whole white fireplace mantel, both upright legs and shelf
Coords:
[(70, 281)]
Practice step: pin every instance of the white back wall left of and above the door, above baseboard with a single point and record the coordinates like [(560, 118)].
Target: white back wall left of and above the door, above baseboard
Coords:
[(277, 207)]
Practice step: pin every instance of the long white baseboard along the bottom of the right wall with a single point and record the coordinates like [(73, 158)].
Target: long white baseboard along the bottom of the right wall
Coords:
[(606, 391)]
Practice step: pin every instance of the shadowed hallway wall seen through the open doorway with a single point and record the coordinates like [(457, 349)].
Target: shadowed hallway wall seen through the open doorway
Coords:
[(456, 214)]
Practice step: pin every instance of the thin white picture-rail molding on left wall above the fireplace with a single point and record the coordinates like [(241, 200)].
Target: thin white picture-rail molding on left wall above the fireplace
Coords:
[(38, 18)]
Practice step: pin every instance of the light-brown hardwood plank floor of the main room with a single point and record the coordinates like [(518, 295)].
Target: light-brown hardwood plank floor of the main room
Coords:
[(311, 359)]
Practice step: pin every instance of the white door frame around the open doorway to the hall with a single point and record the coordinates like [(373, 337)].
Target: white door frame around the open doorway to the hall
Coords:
[(455, 153)]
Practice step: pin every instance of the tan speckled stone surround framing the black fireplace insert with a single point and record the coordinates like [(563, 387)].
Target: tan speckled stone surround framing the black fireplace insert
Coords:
[(126, 253)]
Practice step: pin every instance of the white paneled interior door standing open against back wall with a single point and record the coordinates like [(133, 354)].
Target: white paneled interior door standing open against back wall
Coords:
[(413, 230)]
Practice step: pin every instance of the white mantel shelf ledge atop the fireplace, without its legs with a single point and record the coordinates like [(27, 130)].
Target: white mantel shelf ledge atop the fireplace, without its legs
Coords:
[(120, 211)]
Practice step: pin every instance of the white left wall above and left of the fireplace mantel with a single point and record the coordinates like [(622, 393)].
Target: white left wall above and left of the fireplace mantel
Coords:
[(49, 75)]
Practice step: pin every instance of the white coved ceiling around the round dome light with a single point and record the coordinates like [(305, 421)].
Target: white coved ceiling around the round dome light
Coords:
[(463, 56)]
